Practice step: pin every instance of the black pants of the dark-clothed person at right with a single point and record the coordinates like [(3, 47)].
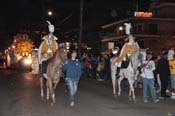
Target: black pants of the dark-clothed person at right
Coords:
[(164, 85)]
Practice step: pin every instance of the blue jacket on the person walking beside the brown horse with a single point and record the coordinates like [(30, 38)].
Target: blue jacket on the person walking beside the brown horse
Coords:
[(72, 69)]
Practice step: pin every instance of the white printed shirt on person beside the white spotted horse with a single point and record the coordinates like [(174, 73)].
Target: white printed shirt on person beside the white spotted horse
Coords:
[(147, 71)]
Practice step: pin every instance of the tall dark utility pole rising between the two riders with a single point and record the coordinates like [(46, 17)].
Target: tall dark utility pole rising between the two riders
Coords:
[(80, 28)]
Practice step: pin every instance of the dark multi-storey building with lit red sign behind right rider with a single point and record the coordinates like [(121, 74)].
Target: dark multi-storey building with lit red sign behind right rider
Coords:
[(154, 29)]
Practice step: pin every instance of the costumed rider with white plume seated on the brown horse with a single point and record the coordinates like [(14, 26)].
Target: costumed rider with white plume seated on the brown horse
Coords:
[(47, 48)]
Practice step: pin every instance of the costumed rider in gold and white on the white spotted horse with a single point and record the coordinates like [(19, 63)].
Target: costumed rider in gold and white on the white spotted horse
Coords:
[(128, 49)]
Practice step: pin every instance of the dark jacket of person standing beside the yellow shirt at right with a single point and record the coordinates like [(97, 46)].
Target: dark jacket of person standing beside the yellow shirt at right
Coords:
[(163, 69)]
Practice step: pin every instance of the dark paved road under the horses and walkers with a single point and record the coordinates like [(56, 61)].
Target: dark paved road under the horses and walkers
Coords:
[(19, 96)]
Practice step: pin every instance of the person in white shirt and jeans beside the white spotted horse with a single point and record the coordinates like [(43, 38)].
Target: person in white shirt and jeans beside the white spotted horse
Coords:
[(148, 78)]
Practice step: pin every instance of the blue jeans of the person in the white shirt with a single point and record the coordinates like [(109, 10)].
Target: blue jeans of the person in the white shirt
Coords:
[(150, 83)]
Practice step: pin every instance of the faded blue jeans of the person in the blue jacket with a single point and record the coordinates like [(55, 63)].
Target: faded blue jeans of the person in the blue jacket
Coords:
[(72, 85)]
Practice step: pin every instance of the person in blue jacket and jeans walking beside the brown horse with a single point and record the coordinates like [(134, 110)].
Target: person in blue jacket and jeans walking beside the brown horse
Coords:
[(73, 72)]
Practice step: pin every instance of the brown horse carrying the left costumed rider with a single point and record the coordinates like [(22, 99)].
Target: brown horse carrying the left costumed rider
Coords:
[(54, 72)]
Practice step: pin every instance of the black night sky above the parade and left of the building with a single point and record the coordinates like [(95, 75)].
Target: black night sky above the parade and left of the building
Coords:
[(30, 15)]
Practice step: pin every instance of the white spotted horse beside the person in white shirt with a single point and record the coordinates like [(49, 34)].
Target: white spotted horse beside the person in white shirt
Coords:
[(131, 72)]
